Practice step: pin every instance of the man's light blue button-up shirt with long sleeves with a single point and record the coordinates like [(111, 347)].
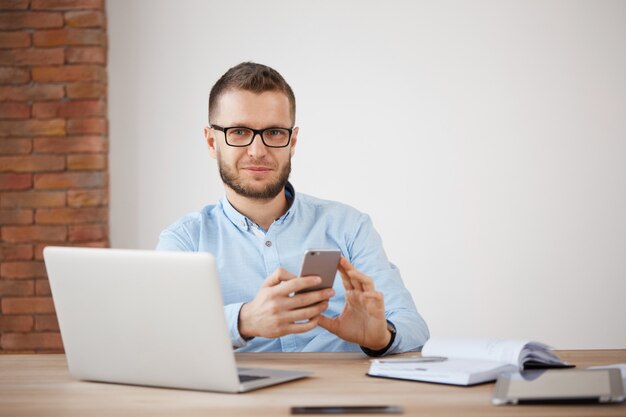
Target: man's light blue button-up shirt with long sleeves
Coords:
[(246, 255)]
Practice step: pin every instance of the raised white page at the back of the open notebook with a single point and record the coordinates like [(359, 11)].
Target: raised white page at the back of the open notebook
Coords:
[(507, 351)]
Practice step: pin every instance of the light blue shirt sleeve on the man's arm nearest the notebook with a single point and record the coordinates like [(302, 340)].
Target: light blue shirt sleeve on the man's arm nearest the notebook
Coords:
[(366, 253)]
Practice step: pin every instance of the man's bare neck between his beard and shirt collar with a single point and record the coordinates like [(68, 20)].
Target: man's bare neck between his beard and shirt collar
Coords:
[(262, 212)]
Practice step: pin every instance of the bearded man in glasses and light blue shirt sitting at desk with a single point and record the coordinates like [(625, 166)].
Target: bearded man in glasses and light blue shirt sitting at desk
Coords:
[(261, 229)]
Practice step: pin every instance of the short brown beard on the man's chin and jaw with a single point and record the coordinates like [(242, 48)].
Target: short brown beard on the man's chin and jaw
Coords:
[(232, 179)]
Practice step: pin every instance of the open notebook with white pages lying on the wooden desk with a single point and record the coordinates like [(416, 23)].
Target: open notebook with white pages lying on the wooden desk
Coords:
[(460, 361)]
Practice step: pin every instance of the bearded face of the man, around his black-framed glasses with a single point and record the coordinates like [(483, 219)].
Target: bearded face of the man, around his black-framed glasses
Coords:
[(255, 171)]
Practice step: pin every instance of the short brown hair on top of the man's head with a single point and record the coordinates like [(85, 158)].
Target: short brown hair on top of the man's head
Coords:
[(253, 77)]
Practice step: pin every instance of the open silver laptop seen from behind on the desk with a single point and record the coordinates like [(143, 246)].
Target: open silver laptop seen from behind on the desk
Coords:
[(147, 318)]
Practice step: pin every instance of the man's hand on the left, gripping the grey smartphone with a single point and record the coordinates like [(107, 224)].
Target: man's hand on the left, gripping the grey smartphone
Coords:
[(274, 313)]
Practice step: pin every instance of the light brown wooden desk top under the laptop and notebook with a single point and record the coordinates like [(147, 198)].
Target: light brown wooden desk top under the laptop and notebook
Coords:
[(40, 385)]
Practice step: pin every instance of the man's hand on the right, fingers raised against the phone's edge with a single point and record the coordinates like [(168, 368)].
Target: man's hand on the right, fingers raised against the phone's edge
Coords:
[(362, 320)]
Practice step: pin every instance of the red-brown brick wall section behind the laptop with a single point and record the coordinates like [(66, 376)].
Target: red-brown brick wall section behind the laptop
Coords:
[(53, 154)]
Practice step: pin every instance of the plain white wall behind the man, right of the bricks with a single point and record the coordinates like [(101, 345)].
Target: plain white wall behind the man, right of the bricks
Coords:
[(487, 140)]
